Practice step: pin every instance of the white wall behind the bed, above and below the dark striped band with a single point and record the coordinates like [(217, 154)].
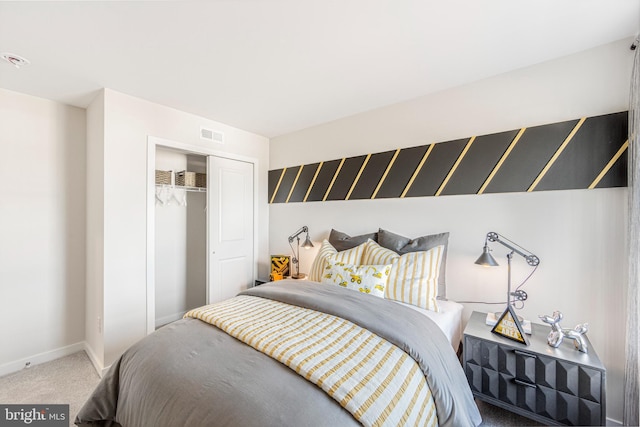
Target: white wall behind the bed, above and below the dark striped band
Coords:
[(580, 236)]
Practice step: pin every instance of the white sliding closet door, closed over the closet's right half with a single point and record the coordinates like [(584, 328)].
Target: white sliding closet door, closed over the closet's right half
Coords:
[(230, 227)]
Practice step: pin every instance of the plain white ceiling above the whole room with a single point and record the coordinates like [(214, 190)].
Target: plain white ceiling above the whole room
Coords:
[(276, 66)]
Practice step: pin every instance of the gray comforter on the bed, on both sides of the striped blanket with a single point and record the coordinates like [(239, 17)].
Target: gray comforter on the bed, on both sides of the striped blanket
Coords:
[(190, 373)]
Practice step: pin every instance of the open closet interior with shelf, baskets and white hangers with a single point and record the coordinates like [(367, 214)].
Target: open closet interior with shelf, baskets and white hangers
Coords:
[(180, 235)]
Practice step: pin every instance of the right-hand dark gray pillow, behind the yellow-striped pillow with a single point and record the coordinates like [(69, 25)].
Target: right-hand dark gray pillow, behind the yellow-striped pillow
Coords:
[(403, 245)]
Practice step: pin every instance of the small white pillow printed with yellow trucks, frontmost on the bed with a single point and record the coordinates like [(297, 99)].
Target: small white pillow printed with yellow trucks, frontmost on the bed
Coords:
[(368, 279)]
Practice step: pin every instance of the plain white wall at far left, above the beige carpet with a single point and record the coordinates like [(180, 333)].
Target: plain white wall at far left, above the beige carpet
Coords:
[(42, 229)]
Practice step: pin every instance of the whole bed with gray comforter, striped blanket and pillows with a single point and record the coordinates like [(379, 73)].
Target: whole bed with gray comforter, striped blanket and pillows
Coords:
[(369, 339)]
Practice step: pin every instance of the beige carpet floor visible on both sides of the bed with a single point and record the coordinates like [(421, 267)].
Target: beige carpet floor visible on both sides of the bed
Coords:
[(71, 379)]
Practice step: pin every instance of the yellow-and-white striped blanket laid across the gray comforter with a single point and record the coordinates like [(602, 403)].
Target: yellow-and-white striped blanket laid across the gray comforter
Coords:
[(378, 383)]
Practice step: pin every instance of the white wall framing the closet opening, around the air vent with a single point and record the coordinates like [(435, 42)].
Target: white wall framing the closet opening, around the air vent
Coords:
[(128, 123)]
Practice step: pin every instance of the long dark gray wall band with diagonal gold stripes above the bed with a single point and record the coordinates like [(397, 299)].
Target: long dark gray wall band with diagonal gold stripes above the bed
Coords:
[(575, 154)]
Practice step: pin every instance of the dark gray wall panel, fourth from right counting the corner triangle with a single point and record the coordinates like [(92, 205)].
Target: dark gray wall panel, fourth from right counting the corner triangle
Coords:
[(477, 164)]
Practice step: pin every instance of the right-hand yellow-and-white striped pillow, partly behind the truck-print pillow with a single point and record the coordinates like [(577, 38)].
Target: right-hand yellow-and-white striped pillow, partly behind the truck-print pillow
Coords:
[(414, 276)]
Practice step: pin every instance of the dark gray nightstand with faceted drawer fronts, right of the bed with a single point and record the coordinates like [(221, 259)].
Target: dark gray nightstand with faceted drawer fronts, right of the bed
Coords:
[(557, 386)]
